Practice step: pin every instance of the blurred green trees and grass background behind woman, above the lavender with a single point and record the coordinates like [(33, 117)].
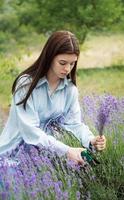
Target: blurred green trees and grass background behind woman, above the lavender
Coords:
[(99, 25)]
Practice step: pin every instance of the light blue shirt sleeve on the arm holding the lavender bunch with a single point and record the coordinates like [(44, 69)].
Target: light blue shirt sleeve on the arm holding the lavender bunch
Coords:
[(73, 121)]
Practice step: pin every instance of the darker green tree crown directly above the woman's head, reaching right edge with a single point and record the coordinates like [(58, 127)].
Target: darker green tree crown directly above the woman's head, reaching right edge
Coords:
[(80, 16)]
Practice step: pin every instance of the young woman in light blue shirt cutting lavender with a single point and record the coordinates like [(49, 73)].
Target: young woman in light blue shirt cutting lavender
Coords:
[(45, 96)]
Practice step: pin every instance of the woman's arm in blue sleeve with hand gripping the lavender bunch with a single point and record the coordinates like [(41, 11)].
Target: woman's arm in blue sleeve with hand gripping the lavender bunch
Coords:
[(78, 128)]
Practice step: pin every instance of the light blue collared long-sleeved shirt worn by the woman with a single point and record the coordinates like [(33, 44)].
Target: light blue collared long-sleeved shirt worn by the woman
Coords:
[(30, 124)]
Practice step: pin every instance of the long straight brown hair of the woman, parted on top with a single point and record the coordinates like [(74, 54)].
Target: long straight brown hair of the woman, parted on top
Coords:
[(58, 43)]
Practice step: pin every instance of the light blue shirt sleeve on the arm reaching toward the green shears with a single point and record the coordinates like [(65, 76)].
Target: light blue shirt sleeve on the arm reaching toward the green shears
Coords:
[(29, 125)]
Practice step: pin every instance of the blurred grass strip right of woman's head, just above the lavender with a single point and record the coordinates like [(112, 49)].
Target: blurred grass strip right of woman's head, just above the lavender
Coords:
[(101, 80)]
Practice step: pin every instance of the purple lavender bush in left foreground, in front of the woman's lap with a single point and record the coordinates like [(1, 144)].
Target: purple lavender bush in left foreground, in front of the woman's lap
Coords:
[(40, 174)]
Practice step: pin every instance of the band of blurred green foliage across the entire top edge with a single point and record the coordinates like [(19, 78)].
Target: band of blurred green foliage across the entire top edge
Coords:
[(46, 16)]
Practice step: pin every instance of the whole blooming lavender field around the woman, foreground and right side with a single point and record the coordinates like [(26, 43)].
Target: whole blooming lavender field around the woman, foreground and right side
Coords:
[(42, 174)]
